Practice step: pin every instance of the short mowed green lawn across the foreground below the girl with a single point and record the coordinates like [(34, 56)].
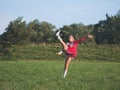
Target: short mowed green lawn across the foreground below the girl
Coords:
[(48, 75)]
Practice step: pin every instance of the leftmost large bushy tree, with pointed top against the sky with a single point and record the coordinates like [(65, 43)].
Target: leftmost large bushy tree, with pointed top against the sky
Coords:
[(16, 32)]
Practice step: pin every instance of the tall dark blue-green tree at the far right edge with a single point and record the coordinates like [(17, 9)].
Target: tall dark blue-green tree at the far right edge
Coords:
[(108, 31)]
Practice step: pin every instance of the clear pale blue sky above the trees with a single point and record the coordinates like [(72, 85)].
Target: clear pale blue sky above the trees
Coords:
[(57, 12)]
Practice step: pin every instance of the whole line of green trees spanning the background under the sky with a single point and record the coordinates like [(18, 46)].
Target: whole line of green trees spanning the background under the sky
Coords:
[(19, 32)]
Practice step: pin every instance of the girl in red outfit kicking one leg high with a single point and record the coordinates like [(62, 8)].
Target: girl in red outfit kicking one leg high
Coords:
[(70, 49)]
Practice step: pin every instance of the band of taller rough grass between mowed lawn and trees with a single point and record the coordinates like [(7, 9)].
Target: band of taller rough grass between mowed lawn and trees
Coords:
[(48, 52)]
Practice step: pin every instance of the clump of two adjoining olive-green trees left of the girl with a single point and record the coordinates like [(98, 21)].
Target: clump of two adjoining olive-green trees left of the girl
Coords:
[(18, 32)]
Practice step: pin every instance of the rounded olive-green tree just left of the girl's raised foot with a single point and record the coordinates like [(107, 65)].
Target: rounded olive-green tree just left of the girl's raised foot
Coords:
[(41, 31)]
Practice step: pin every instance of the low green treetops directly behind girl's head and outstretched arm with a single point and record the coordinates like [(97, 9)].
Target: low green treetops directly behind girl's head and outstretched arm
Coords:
[(77, 30)]
